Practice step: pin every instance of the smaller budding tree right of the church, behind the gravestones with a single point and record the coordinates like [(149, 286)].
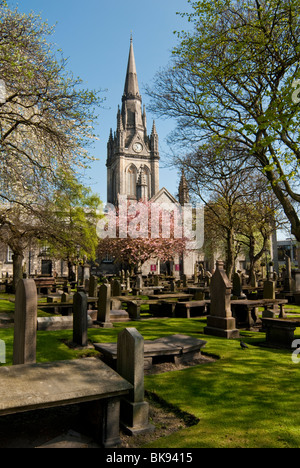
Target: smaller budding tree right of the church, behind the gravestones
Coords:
[(240, 211)]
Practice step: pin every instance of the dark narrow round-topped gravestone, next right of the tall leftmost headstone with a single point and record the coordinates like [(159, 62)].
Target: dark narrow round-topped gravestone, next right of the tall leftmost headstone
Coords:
[(80, 319)]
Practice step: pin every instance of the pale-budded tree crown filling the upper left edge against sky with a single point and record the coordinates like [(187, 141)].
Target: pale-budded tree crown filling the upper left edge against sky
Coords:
[(47, 119)]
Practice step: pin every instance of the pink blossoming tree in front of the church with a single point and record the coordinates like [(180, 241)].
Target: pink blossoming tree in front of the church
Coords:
[(134, 233)]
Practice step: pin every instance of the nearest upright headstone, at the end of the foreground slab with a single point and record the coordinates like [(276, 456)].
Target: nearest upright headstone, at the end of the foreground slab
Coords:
[(130, 365)]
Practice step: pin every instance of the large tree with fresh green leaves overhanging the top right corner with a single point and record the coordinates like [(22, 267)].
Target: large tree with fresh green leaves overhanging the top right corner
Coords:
[(232, 80)]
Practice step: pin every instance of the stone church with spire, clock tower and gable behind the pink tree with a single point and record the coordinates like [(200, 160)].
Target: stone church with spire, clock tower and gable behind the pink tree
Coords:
[(133, 164)]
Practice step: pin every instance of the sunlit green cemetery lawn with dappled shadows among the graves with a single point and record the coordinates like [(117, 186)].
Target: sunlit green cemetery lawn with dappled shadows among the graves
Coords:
[(245, 398)]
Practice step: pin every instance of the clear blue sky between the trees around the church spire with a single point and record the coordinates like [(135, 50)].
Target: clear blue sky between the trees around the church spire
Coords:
[(95, 36)]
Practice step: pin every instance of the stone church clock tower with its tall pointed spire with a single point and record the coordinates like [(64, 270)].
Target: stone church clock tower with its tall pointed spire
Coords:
[(132, 155)]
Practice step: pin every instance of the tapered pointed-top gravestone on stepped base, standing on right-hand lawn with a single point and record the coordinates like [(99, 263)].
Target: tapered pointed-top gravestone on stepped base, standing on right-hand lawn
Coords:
[(220, 321)]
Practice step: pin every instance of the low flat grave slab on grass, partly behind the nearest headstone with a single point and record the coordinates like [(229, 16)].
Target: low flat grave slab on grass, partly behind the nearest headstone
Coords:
[(173, 348)]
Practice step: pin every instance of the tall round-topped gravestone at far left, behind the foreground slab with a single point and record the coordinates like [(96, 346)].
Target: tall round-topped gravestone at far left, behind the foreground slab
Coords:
[(25, 327)]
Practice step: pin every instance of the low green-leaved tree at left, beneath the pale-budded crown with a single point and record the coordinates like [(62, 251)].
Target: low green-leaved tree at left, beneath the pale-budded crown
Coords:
[(66, 224)]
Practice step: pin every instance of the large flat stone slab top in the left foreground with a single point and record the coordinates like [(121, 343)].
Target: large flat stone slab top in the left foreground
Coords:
[(35, 386)]
